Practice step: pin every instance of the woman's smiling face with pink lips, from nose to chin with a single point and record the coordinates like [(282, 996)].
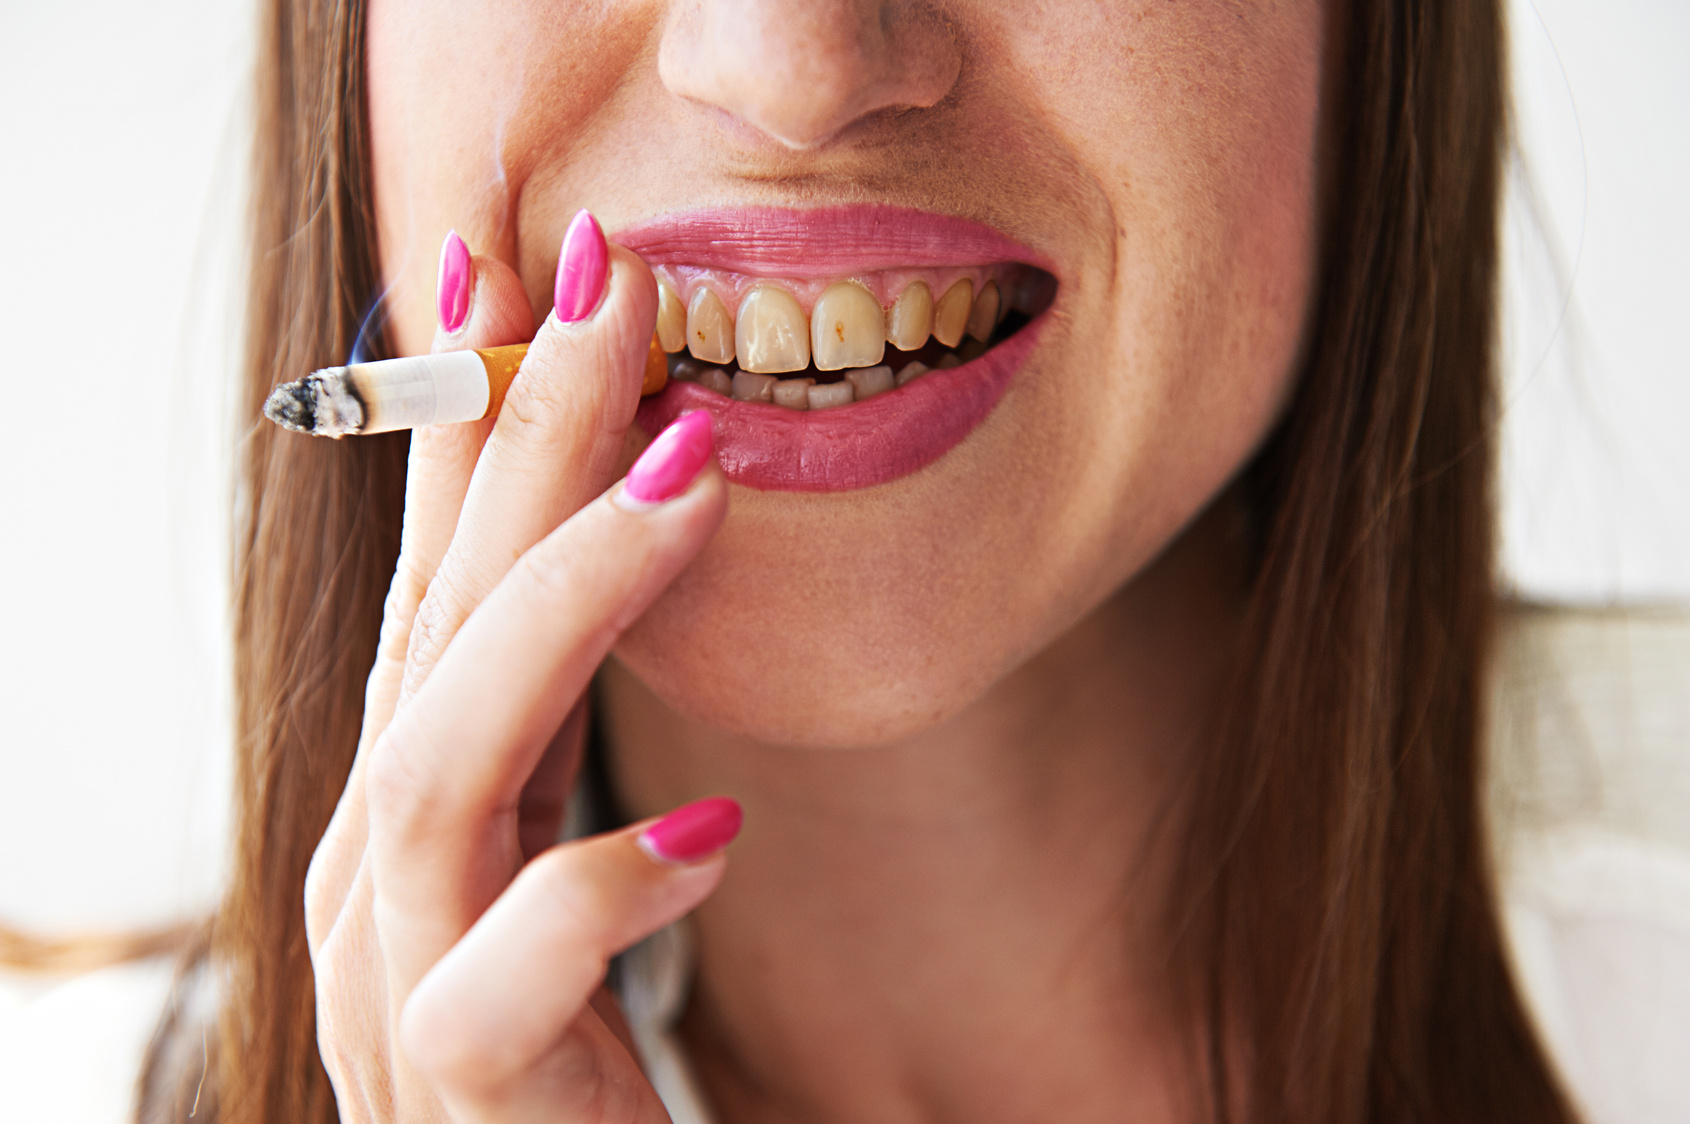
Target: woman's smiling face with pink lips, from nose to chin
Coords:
[(886, 562)]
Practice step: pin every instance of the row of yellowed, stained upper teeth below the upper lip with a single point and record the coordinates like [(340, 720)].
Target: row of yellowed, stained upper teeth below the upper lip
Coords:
[(848, 327)]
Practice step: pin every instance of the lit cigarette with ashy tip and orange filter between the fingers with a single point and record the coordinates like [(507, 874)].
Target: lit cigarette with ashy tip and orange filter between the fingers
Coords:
[(412, 393)]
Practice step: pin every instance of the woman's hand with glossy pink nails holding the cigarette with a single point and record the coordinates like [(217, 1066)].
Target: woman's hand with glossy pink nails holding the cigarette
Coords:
[(461, 956)]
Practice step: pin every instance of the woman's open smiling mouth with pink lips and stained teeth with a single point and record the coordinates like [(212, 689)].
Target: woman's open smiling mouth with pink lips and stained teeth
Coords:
[(837, 349)]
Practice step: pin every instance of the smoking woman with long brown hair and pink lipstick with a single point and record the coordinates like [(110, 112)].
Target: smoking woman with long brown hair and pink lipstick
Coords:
[(1103, 704)]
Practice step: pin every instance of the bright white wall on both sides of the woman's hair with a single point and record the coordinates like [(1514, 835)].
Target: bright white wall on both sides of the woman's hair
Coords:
[(123, 150)]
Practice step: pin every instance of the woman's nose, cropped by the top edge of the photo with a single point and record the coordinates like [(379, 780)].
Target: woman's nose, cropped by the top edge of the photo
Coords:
[(802, 72)]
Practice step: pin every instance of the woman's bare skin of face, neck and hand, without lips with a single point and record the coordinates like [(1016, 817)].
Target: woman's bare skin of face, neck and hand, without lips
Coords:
[(952, 707)]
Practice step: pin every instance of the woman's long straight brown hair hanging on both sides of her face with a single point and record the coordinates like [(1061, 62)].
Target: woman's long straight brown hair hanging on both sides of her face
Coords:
[(1341, 920)]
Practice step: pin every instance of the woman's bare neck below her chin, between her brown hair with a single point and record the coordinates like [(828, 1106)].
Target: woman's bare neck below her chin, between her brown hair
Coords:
[(966, 924)]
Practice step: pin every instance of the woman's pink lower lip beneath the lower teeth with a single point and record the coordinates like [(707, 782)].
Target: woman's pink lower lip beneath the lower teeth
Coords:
[(853, 447)]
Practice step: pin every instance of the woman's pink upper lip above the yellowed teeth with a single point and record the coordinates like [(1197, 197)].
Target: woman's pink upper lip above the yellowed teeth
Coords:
[(820, 243)]
